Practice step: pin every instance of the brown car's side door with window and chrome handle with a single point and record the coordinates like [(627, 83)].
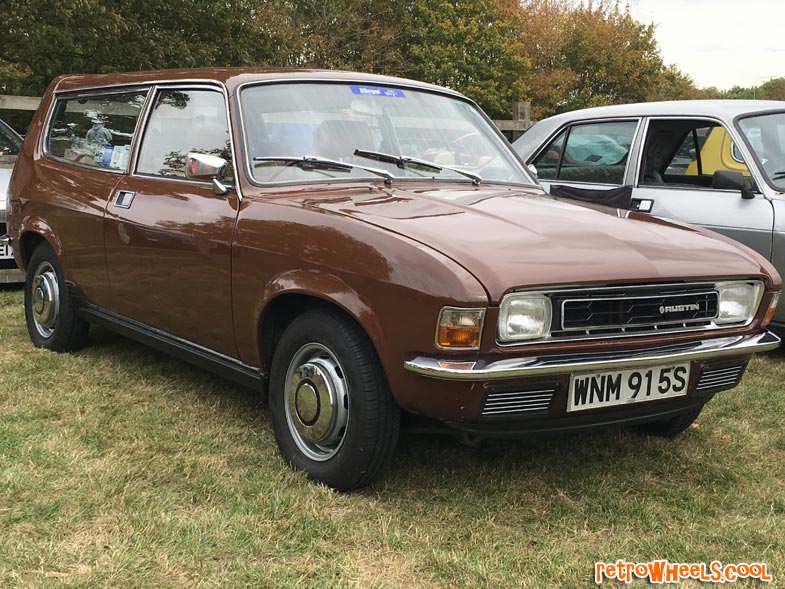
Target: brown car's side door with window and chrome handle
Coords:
[(168, 238)]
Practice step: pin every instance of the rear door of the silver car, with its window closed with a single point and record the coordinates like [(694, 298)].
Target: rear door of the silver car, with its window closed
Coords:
[(589, 161)]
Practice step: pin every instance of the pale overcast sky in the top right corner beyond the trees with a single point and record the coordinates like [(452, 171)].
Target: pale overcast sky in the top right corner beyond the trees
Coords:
[(720, 43)]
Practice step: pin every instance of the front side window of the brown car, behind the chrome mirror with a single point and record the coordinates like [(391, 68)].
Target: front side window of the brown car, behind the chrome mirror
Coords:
[(184, 121)]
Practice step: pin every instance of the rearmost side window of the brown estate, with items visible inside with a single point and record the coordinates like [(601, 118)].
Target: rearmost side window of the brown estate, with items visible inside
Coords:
[(95, 130)]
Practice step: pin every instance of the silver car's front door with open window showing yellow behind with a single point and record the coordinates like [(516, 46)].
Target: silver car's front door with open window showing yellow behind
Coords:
[(678, 179)]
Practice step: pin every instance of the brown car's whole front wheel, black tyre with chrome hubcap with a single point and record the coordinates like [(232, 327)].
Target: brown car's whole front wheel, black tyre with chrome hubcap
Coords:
[(332, 411)]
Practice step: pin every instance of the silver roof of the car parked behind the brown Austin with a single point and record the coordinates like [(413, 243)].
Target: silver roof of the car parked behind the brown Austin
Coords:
[(725, 110)]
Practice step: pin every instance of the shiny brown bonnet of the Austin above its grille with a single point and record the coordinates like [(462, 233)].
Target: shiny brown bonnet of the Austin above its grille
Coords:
[(512, 239)]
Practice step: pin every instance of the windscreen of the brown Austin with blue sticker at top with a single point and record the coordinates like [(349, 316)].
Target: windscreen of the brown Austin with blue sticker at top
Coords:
[(332, 121)]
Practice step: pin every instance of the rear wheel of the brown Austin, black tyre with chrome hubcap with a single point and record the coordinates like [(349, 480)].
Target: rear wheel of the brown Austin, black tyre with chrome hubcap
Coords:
[(50, 313)]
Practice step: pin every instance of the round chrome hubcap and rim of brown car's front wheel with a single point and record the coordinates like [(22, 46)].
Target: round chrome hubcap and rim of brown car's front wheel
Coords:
[(317, 402)]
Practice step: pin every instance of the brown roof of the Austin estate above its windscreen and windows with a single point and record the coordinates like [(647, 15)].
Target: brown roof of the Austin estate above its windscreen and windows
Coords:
[(231, 77)]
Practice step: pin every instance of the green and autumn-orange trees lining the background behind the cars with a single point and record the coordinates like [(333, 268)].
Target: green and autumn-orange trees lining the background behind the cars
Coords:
[(558, 54)]
